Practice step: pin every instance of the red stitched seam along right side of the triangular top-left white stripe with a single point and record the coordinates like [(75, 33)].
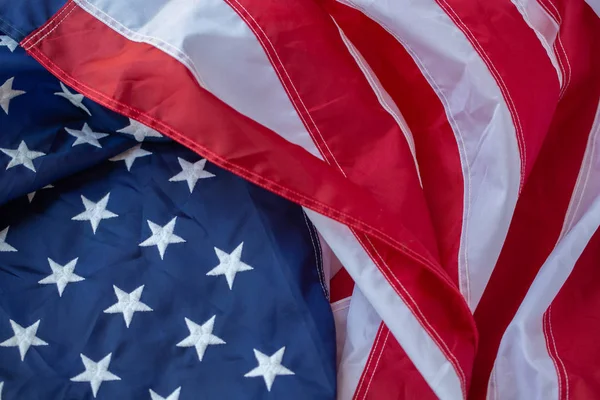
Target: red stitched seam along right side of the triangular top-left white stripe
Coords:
[(280, 64)]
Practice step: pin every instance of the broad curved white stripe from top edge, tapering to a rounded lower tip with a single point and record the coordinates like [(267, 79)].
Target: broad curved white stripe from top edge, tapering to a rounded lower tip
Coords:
[(481, 122)]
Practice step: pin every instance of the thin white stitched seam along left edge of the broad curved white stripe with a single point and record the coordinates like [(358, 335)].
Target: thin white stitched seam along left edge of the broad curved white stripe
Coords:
[(463, 275)]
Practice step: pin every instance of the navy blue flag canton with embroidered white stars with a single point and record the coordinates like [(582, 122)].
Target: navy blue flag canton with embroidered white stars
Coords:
[(132, 268)]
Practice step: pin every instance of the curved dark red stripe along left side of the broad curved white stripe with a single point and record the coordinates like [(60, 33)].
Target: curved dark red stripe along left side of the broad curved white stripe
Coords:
[(437, 150)]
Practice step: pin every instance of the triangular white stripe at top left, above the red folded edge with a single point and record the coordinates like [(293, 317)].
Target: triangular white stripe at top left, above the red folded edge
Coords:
[(217, 46)]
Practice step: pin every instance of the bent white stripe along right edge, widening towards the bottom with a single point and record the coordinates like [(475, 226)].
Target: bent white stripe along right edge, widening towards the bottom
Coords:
[(523, 367)]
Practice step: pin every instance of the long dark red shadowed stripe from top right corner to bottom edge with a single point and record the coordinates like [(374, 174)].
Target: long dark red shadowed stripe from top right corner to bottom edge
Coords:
[(541, 209)]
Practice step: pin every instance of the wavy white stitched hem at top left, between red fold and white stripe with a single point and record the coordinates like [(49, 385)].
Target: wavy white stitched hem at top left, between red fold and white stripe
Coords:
[(134, 36)]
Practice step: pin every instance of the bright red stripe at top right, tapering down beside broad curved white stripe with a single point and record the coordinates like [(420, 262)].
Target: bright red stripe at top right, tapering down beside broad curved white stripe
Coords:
[(519, 64)]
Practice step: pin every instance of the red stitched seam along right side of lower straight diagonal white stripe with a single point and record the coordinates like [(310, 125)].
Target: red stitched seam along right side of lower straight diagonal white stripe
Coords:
[(416, 311)]
